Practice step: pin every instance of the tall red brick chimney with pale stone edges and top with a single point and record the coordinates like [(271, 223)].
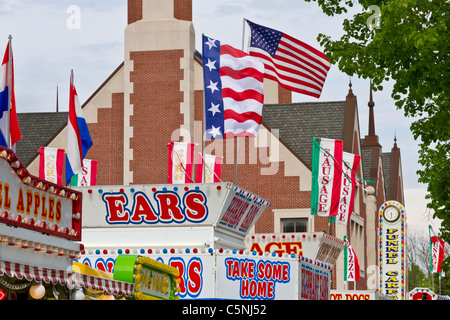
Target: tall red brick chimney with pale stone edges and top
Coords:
[(159, 93)]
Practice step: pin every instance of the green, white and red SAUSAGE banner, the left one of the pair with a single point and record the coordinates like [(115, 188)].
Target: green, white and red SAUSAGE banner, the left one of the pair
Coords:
[(326, 176)]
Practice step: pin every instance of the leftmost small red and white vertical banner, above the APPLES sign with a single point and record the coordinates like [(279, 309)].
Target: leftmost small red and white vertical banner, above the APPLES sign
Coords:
[(51, 162)]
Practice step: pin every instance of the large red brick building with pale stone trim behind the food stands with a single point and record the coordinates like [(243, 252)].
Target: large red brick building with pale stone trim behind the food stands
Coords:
[(156, 95)]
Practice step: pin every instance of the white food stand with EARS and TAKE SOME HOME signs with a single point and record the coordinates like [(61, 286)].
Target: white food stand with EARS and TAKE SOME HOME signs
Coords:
[(200, 231)]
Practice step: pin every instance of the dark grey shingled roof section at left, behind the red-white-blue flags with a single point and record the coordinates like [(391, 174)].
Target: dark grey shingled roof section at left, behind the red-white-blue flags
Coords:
[(38, 129)]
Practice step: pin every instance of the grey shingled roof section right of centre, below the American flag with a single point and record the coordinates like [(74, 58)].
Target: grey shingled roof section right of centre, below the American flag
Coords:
[(298, 123)]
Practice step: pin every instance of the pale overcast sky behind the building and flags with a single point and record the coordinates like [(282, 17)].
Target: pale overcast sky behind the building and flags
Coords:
[(51, 37)]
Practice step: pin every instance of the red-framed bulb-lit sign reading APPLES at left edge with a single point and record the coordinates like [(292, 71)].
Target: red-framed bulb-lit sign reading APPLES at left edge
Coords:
[(33, 203)]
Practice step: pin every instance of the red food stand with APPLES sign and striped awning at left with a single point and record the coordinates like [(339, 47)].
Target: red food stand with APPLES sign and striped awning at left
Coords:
[(40, 230)]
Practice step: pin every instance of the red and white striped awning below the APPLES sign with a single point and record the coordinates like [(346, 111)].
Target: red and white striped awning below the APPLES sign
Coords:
[(67, 278)]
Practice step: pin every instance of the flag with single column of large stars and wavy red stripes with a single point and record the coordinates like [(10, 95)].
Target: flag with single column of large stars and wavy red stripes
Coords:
[(233, 91)]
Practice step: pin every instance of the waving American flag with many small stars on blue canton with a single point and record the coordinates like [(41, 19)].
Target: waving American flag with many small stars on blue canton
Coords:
[(294, 64)]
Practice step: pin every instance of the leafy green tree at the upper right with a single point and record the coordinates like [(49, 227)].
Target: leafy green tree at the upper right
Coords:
[(407, 42)]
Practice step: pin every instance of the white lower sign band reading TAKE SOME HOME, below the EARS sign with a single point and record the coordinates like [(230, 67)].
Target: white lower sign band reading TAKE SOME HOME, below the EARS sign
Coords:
[(212, 274)]
